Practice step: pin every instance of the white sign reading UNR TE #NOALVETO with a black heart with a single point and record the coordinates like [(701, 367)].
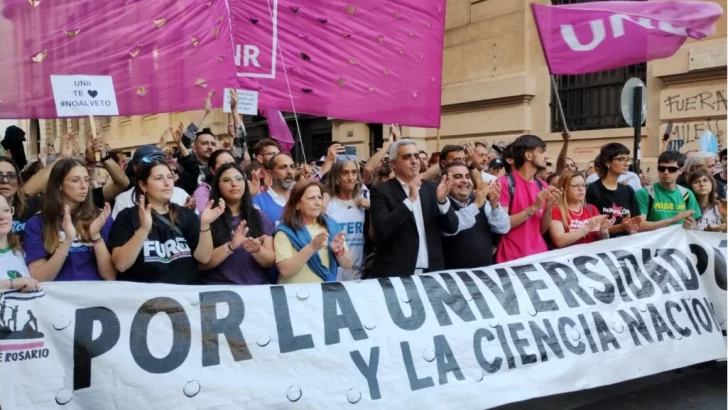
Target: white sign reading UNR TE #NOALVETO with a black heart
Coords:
[(82, 95)]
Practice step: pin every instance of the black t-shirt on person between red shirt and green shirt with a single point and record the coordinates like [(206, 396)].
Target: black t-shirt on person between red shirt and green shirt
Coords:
[(620, 203)]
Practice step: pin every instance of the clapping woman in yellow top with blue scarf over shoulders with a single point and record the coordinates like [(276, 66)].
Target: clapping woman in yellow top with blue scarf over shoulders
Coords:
[(309, 247)]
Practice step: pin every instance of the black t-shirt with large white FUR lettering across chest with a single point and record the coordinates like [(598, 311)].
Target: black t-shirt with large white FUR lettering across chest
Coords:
[(167, 256)]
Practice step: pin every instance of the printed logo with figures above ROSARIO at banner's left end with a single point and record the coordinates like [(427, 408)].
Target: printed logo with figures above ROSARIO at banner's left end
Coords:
[(20, 337)]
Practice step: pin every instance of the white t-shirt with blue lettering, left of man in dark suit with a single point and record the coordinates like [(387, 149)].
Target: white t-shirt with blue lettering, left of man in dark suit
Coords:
[(350, 219)]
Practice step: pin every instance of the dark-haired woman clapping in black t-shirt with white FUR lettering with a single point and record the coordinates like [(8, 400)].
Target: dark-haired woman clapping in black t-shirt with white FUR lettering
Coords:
[(157, 241)]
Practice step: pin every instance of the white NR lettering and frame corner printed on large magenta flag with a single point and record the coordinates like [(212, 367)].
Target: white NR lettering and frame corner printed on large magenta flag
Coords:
[(259, 60)]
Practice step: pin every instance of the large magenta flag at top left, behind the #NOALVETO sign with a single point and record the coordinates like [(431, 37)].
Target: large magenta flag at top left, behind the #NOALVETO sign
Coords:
[(163, 55)]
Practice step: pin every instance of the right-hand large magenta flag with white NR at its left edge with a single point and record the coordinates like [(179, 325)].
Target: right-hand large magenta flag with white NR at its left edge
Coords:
[(374, 61)]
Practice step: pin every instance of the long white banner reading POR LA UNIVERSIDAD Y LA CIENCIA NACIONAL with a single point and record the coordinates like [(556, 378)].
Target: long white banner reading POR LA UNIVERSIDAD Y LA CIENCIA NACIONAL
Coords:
[(566, 320)]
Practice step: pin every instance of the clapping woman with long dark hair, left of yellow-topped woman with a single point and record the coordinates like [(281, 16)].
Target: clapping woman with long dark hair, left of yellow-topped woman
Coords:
[(241, 236)]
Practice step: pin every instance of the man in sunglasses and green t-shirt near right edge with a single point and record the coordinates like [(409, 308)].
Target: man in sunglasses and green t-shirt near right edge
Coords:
[(665, 203)]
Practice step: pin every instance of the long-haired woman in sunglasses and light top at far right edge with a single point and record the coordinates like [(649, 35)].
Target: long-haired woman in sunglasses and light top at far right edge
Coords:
[(705, 188)]
